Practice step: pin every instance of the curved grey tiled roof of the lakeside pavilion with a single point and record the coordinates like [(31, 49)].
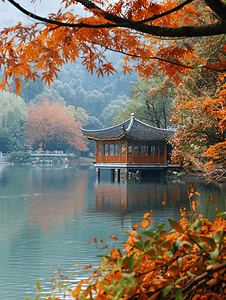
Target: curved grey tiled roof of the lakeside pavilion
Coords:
[(132, 129)]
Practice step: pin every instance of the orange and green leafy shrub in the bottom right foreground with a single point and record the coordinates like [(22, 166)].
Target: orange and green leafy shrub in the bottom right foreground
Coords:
[(187, 263)]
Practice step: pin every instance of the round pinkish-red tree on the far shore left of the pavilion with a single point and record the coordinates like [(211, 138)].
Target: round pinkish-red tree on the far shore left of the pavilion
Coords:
[(50, 124)]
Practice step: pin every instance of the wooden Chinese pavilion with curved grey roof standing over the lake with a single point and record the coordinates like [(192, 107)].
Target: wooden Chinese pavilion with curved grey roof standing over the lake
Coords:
[(131, 145)]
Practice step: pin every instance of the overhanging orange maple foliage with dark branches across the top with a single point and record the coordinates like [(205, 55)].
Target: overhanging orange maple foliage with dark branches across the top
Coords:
[(137, 29)]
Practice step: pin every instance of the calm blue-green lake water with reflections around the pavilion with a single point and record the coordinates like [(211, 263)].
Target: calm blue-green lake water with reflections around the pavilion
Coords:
[(47, 214)]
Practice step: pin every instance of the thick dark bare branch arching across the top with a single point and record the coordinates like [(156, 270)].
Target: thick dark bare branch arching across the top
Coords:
[(184, 31)]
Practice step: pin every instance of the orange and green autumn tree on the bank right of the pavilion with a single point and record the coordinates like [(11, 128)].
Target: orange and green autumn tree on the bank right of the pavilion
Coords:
[(197, 114)]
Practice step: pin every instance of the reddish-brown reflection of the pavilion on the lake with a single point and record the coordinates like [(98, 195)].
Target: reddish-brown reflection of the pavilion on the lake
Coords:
[(112, 197)]
